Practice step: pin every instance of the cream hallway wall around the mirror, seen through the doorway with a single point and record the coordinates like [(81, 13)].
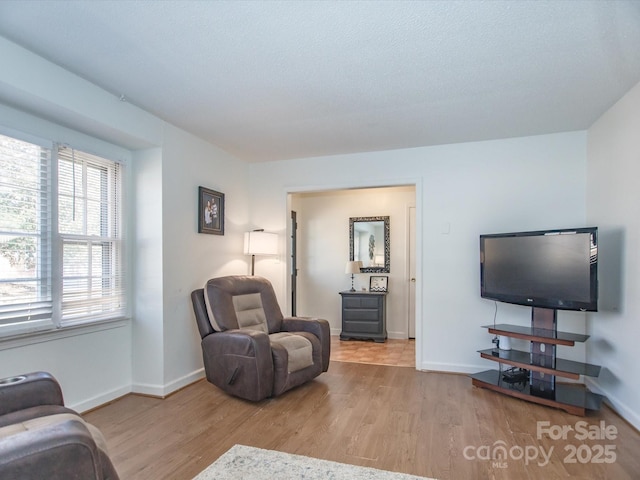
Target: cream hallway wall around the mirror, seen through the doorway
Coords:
[(323, 250)]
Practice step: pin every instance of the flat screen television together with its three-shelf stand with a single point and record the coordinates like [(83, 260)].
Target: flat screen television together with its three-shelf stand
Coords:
[(548, 270)]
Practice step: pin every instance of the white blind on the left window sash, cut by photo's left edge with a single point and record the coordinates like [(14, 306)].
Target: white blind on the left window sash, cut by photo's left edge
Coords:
[(25, 236)]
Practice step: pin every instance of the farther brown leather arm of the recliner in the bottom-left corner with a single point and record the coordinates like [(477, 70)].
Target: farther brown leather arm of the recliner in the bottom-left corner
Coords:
[(29, 390)]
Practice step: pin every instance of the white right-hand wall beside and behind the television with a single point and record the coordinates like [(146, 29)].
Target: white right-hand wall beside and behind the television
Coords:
[(612, 204)]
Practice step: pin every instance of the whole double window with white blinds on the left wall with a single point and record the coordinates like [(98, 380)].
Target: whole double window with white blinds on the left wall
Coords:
[(61, 242)]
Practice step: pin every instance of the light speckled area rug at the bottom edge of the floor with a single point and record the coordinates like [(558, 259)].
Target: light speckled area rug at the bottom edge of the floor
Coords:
[(248, 463)]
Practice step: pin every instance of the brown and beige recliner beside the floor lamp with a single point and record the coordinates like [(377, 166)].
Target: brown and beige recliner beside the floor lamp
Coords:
[(249, 348)]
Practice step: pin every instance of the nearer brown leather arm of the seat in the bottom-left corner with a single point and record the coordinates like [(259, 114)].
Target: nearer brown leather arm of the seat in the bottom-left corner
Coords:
[(58, 452)]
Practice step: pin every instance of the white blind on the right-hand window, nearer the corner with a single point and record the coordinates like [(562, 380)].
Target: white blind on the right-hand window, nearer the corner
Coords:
[(90, 233)]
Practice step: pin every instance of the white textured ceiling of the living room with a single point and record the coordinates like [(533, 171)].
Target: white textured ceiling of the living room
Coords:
[(290, 79)]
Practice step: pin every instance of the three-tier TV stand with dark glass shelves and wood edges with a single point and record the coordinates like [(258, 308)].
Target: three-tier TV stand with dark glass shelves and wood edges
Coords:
[(543, 366)]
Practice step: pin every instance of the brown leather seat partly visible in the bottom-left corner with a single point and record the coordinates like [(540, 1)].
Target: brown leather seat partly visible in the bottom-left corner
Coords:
[(41, 438)]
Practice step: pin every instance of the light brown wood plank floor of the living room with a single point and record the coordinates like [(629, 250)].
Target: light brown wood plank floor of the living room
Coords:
[(386, 417)]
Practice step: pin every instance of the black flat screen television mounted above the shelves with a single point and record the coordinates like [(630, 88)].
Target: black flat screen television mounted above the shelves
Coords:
[(556, 269)]
